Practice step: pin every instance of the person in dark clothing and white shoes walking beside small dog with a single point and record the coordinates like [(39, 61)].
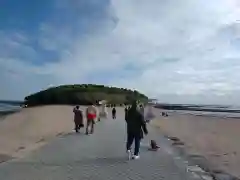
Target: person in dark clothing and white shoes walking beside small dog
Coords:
[(135, 128)]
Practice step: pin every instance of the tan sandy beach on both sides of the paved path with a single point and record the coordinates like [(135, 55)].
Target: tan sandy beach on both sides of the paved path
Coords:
[(217, 139)]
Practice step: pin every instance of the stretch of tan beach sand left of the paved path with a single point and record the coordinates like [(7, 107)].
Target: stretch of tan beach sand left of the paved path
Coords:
[(29, 129)]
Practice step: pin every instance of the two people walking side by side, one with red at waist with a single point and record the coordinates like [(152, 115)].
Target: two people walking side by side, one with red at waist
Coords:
[(91, 116)]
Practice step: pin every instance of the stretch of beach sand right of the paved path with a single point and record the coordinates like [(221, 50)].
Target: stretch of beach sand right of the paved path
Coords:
[(217, 139)]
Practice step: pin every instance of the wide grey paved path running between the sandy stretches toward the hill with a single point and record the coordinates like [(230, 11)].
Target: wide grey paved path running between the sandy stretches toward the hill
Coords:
[(100, 156)]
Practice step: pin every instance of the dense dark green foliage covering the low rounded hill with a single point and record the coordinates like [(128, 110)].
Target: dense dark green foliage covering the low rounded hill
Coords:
[(83, 94)]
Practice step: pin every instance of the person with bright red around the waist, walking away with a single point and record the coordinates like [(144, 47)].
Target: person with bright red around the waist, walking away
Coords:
[(91, 114)]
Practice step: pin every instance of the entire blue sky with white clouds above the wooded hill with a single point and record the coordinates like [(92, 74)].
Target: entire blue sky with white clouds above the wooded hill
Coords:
[(177, 51)]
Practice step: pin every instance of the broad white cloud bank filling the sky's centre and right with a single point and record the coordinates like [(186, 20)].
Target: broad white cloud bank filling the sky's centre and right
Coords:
[(186, 49)]
